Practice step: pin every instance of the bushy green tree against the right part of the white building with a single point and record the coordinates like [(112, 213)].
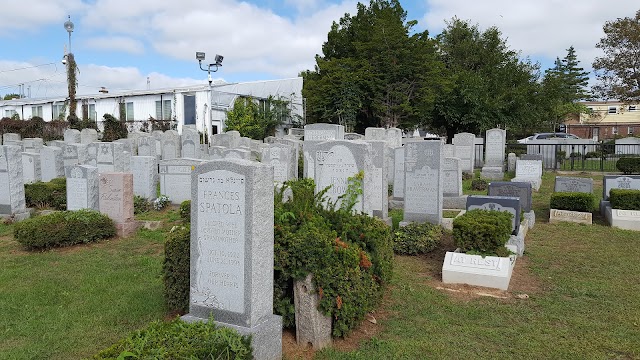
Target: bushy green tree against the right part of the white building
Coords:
[(257, 119)]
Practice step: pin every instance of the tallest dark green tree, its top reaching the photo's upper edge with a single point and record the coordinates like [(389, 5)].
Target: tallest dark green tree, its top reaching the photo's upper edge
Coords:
[(373, 71)]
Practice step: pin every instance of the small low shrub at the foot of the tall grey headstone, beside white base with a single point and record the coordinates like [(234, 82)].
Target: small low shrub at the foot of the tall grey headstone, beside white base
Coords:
[(417, 238)]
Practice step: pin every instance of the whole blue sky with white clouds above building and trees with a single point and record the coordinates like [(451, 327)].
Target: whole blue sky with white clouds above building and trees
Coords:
[(150, 44)]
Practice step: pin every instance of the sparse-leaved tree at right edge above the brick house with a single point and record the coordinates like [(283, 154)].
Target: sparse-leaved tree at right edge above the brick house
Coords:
[(618, 71)]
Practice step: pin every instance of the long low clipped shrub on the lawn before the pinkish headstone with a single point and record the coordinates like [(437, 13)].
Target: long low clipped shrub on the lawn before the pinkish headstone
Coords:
[(63, 228)]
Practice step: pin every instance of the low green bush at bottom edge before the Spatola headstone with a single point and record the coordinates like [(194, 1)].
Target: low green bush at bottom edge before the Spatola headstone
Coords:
[(180, 340)]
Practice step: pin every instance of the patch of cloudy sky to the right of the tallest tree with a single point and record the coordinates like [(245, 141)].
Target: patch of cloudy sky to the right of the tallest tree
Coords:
[(538, 28)]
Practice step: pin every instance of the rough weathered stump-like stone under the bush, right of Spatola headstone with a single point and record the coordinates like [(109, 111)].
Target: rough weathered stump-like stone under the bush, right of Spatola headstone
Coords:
[(312, 327)]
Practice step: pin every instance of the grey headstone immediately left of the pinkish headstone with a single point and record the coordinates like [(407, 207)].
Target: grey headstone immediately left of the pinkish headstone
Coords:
[(82, 187)]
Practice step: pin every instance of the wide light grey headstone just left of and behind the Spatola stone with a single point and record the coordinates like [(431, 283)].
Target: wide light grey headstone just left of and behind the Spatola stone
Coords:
[(175, 177)]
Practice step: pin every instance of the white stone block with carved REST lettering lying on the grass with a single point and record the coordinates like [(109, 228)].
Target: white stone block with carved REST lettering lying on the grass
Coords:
[(489, 271)]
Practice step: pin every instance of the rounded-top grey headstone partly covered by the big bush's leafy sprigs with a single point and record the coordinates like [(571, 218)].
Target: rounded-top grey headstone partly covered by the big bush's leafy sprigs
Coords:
[(337, 161)]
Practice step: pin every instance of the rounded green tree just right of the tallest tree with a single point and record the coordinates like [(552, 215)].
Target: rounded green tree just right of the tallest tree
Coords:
[(487, 85)]
